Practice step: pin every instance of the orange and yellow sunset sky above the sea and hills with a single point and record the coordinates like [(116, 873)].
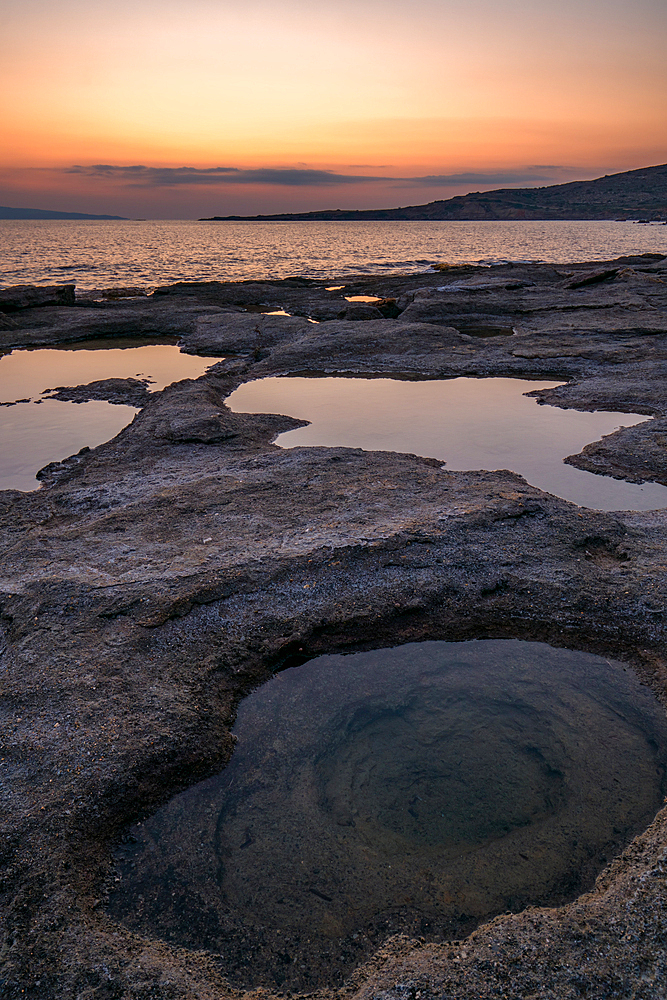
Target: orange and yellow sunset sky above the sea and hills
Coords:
[(219, 107)]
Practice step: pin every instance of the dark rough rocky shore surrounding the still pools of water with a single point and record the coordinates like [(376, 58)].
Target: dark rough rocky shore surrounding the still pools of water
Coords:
[(155, 580)]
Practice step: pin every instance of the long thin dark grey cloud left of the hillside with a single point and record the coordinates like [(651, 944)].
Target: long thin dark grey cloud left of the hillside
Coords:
[(141, 176)]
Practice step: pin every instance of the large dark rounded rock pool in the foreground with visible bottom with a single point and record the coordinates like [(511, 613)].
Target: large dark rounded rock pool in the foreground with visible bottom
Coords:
[(419, 789)]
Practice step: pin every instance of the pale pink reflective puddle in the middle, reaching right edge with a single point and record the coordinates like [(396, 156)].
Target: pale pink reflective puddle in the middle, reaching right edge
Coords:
[(468, 423)]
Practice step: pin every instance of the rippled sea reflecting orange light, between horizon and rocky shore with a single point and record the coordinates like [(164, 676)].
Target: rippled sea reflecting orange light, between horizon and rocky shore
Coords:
[(103, 254)]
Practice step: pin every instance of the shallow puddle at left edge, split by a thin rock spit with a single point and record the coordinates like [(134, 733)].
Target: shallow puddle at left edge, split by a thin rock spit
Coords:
[(42, 430)]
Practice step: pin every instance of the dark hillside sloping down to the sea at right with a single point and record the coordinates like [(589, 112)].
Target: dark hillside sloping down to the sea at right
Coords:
[(631, 195)]
